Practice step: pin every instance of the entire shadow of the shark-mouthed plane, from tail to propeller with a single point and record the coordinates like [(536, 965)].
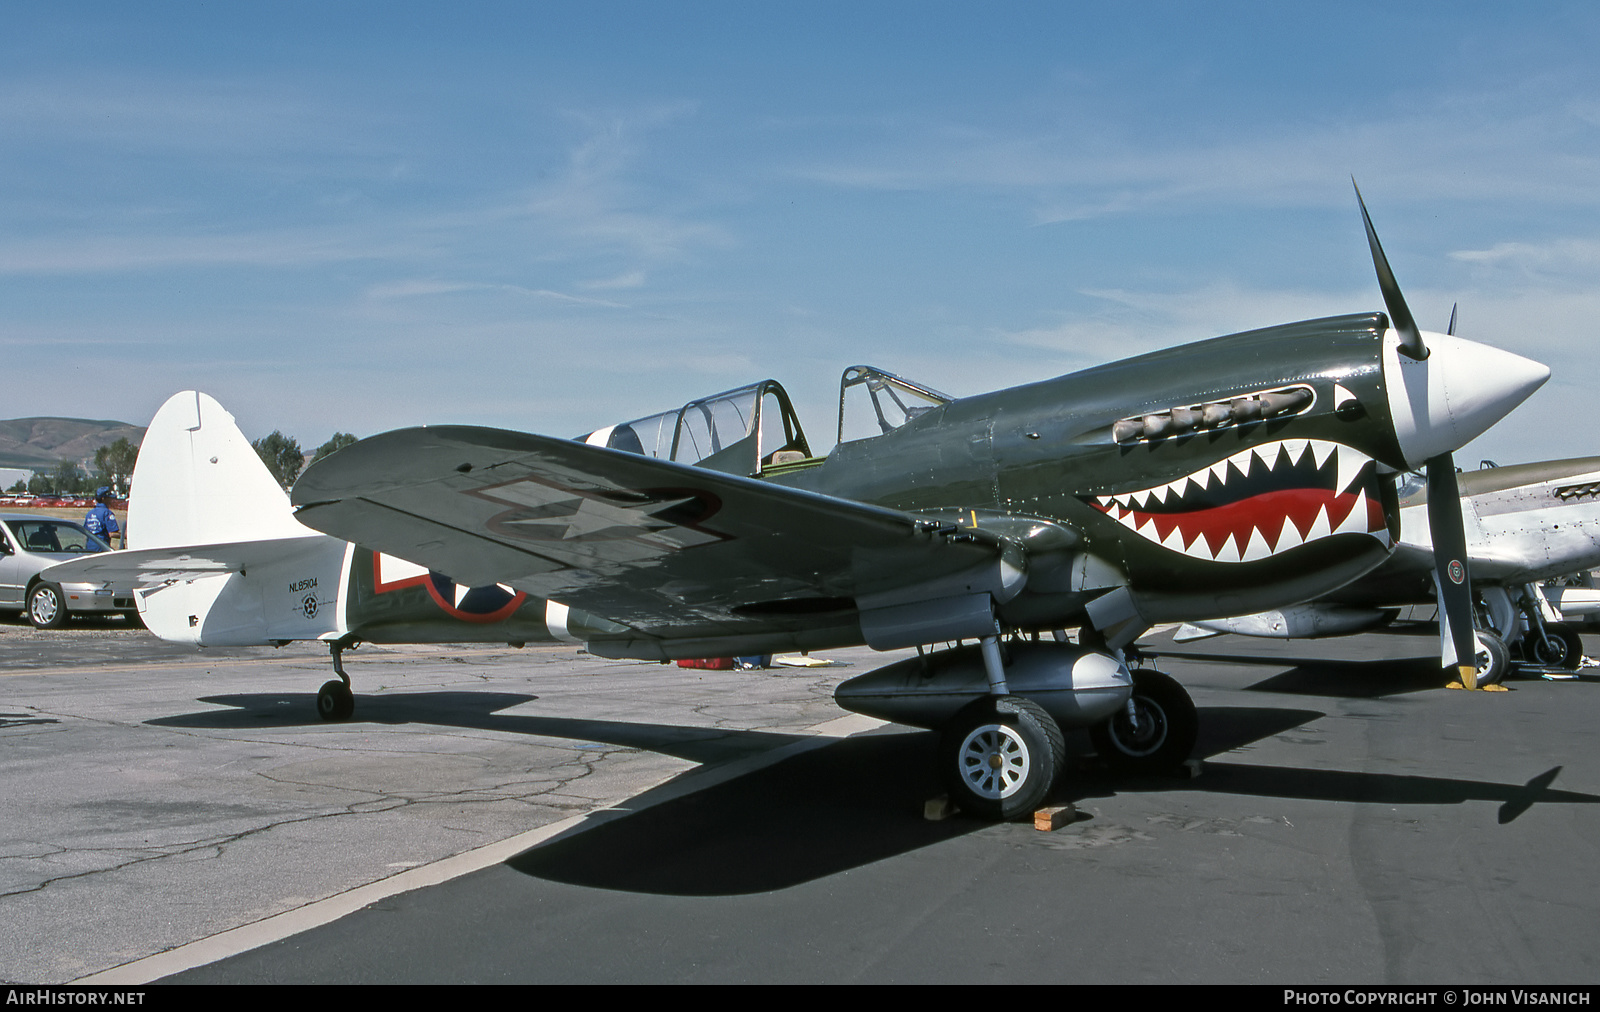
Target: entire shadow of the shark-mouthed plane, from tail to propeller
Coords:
[(839, 806)]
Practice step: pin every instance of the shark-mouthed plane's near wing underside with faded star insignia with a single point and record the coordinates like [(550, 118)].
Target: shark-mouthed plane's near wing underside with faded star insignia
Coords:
[(668, 550)]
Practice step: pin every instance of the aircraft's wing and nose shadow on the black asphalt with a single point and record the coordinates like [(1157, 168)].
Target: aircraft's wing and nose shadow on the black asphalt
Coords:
[(860, 801)]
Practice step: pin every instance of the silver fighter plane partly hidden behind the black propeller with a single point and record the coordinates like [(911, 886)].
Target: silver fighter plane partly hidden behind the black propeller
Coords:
[(1524, 524)]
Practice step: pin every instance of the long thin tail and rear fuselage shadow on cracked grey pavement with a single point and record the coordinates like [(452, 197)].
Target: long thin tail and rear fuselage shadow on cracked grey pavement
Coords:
[(479, 710)]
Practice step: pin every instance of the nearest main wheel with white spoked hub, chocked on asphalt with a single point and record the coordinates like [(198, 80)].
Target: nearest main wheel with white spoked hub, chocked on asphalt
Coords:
[(1001, 757)]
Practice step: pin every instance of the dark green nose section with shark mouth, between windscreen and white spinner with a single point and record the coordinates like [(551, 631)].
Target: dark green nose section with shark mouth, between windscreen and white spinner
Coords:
[(1044, 464)]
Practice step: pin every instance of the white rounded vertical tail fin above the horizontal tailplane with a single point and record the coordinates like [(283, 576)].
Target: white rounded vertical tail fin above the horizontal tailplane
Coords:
[(201, 483)]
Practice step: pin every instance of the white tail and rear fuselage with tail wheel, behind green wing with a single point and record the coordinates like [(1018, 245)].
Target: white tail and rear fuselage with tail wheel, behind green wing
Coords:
[(220, 560)]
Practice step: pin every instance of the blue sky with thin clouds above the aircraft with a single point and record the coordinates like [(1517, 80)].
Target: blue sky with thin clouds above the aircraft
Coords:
[(553, 217)]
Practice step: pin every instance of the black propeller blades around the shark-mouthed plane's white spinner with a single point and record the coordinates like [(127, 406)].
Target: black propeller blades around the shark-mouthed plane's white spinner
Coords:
[(1444, 496)]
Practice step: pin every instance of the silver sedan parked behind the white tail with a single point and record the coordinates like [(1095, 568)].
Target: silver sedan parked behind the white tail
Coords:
[(28, 545)]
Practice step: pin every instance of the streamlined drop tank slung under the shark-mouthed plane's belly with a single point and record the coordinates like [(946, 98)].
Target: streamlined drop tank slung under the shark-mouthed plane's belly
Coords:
[(1076, 686)]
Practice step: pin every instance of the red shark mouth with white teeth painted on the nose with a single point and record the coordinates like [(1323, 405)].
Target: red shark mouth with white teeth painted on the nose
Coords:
[(1258, 504)]
